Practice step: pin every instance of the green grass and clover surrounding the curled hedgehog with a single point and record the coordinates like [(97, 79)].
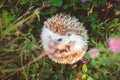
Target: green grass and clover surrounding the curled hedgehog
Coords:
[(20, 27)]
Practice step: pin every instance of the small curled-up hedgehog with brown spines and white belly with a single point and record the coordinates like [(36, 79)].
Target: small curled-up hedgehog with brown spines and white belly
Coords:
[(65, 38)]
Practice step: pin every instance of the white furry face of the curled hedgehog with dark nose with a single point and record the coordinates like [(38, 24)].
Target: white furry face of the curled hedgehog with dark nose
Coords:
[(50, 39)]
